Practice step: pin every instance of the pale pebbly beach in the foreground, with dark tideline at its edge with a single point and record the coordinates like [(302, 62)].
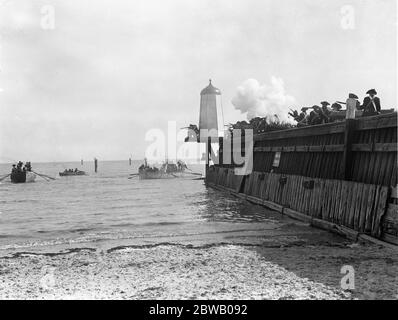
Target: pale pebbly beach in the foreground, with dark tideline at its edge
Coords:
[(204, 272)]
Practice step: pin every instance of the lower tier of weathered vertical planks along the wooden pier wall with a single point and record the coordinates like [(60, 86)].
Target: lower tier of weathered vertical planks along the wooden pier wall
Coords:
[(357, 206)]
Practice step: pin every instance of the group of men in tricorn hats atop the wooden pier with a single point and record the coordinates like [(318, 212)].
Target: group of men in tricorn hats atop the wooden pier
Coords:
[(371, 106)]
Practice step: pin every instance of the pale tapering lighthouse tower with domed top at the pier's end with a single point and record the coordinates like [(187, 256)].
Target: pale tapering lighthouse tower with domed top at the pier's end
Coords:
[(211, 118)]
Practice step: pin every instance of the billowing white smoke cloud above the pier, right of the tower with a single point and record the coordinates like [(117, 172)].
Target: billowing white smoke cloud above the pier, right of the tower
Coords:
[(266, 100)]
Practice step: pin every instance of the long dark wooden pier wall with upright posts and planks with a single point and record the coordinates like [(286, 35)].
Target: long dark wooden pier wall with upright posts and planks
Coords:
[(340, 176)]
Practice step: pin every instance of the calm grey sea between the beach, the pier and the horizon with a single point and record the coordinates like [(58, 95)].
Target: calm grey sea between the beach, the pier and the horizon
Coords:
[(107, 207)]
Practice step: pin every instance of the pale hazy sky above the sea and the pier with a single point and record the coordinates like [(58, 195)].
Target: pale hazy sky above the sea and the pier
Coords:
[(84, 79)]
